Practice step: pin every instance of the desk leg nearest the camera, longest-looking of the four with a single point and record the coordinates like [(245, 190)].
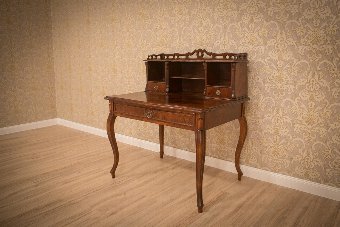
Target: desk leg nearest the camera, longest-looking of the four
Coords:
[(200, 138)]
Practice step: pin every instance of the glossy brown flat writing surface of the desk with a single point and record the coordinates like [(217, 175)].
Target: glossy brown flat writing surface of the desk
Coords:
[(190, 102)]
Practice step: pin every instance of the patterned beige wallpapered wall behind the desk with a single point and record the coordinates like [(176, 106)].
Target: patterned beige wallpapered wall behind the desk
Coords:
[(294, 79)]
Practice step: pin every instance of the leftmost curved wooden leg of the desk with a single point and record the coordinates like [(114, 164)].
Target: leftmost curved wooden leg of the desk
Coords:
[(111, 134)]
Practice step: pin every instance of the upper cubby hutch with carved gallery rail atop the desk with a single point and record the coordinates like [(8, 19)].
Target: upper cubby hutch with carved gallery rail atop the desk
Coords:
[(214, 75)]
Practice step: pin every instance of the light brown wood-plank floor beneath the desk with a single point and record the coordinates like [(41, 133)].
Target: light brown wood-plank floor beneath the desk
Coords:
[(59, 176)]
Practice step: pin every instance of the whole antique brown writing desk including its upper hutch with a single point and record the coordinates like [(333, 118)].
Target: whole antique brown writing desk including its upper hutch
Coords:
[(194, 91)]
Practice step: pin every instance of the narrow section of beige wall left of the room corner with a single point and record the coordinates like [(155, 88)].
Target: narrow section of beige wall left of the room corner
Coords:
[(27, 87)]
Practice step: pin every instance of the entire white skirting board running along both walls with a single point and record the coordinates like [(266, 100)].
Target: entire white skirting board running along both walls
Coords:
[(263, 175)]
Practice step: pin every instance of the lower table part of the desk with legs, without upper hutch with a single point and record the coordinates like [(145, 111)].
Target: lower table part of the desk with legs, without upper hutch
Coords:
[(187, 111)]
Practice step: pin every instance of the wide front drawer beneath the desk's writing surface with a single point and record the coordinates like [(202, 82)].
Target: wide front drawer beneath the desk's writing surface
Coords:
[(155, 115)]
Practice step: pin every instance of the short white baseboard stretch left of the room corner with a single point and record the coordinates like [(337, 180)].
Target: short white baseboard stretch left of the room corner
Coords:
[(28, 126)]
